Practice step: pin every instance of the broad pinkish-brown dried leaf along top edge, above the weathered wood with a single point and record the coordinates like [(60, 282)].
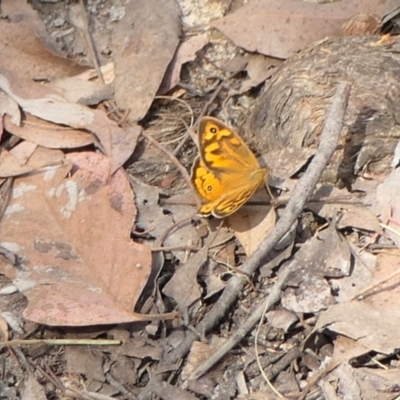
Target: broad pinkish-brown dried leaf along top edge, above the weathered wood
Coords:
[(278, 29)]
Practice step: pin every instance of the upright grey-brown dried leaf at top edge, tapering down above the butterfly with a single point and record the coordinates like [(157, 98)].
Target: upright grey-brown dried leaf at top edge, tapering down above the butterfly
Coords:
[(145, 42)]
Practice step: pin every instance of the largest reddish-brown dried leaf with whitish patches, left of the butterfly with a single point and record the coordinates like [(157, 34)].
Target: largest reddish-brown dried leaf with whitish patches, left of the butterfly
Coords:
[(78, 263)]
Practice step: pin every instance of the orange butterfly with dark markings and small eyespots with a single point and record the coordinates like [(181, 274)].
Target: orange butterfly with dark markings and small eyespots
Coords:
[(226, 173)]
